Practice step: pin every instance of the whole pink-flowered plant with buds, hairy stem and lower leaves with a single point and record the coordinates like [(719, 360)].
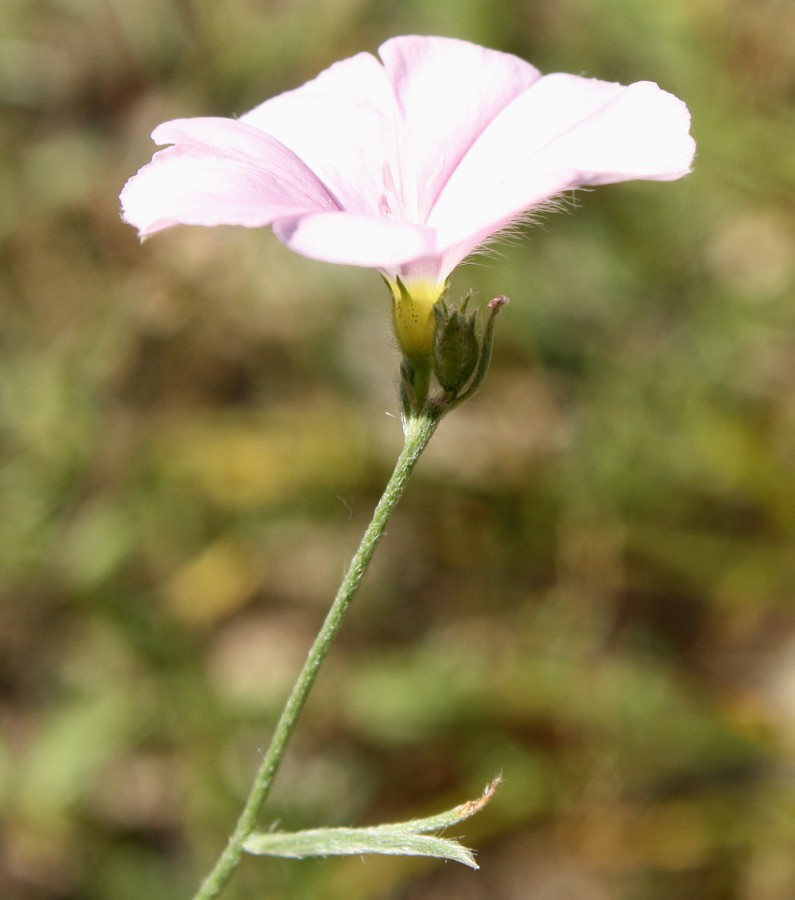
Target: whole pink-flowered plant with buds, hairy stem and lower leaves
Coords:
[(406, 165)]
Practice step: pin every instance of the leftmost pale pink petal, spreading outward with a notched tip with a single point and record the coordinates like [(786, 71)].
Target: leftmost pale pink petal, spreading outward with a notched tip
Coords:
[(219, 172)]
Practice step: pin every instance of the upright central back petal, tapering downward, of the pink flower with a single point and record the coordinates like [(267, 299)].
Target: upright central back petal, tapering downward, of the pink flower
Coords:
[(448, 91)]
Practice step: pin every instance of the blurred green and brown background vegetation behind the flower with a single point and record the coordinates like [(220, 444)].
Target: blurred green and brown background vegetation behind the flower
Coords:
[(589, 584)]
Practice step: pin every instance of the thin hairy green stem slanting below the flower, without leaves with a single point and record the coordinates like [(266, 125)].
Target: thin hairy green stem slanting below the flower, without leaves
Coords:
[(419, 431)]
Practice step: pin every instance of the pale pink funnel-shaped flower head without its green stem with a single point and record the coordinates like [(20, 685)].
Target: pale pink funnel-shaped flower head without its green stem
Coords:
[(407, 164)]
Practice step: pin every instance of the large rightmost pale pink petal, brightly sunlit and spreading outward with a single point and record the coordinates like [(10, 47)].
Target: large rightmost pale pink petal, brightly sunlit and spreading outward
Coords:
[(564, 132)]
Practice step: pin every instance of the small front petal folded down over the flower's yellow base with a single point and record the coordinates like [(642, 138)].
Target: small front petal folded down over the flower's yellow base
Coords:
[(356, 240)]
